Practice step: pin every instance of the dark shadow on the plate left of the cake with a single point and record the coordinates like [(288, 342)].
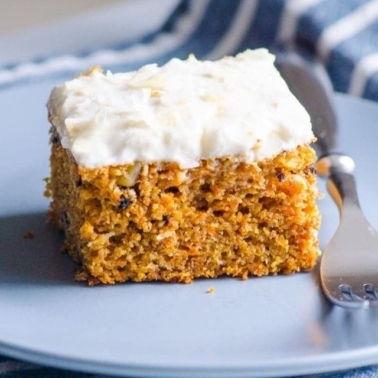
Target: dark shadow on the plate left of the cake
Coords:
[(30, 251)]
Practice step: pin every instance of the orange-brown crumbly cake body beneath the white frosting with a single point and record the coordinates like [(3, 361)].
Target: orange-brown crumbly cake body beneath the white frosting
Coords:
[(157, 221)]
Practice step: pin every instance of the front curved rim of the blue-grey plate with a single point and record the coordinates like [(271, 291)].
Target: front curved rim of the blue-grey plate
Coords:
[(340, 360)]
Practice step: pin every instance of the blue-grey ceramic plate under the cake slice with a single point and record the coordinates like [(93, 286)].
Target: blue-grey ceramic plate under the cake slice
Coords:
[(264, 327)]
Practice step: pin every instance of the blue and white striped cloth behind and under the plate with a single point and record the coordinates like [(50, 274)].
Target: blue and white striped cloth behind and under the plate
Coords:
[(341, 34)]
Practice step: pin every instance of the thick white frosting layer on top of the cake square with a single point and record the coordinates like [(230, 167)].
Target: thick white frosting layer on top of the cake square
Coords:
[(183, 111)]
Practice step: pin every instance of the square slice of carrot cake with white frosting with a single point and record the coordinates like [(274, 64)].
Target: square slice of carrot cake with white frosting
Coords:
[(192, 169)]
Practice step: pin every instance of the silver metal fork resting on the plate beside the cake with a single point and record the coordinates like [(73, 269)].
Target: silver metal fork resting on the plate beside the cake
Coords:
[(349, 264)]
